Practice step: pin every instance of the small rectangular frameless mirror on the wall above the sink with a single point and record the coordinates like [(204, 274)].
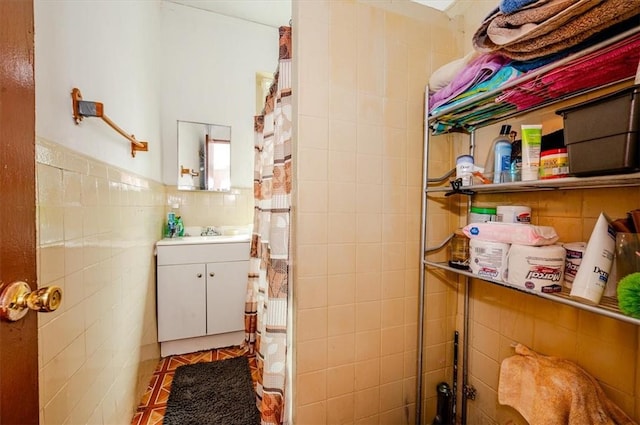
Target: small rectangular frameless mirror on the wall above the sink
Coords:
[(204, 156)]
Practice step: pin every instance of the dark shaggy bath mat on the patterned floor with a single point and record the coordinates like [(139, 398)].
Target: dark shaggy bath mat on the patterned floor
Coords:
[(215, 393)]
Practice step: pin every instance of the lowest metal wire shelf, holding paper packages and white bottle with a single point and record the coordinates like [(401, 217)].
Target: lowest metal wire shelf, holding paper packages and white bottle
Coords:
[(607, 307)]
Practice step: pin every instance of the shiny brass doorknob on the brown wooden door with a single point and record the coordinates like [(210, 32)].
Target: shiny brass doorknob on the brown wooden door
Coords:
[(16, 299)]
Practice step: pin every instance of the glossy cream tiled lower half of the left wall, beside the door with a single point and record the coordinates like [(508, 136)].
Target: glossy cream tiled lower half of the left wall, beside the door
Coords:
[(96, 229)]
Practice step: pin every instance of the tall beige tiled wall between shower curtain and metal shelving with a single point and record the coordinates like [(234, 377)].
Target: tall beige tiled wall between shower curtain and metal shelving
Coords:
[(361, 72)]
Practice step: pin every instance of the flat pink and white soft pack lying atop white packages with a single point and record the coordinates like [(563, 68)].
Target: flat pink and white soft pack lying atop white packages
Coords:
[(514, 233)]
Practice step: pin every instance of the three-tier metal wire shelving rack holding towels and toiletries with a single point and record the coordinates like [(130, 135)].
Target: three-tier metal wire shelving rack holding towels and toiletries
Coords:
[(617, 62)]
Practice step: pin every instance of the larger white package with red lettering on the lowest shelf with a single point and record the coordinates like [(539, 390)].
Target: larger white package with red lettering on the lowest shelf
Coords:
[(537, 268)]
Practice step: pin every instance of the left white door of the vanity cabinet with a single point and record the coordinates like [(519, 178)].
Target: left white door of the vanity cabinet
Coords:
[(181, 301)]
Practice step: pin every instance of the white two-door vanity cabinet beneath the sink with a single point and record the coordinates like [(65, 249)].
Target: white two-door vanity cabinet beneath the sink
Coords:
[(201, 290)]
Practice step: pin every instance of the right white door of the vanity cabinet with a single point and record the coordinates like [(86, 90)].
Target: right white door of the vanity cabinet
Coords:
[(226, 291)]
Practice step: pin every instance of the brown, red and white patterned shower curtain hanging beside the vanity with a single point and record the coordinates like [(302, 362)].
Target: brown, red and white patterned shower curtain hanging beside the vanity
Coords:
[(266, 304)]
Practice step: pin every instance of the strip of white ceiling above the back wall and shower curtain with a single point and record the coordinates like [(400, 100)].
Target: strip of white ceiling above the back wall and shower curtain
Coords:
[(274, 13)]
